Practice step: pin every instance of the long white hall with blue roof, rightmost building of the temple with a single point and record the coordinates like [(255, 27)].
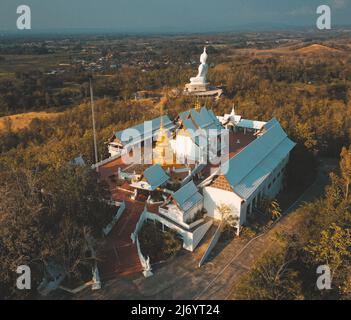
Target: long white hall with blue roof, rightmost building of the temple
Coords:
[(257, 171)]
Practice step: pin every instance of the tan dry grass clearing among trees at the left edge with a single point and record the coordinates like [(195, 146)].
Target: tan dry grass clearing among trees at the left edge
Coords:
[(21, 121)]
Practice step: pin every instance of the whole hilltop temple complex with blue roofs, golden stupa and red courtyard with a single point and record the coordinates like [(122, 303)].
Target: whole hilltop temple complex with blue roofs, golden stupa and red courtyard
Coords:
[(185, 191)]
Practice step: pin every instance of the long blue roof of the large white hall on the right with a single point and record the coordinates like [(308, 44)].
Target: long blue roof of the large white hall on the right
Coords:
[(253, 164)]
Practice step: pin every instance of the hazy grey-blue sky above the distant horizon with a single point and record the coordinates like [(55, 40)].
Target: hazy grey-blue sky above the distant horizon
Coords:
[(162, 16)]
